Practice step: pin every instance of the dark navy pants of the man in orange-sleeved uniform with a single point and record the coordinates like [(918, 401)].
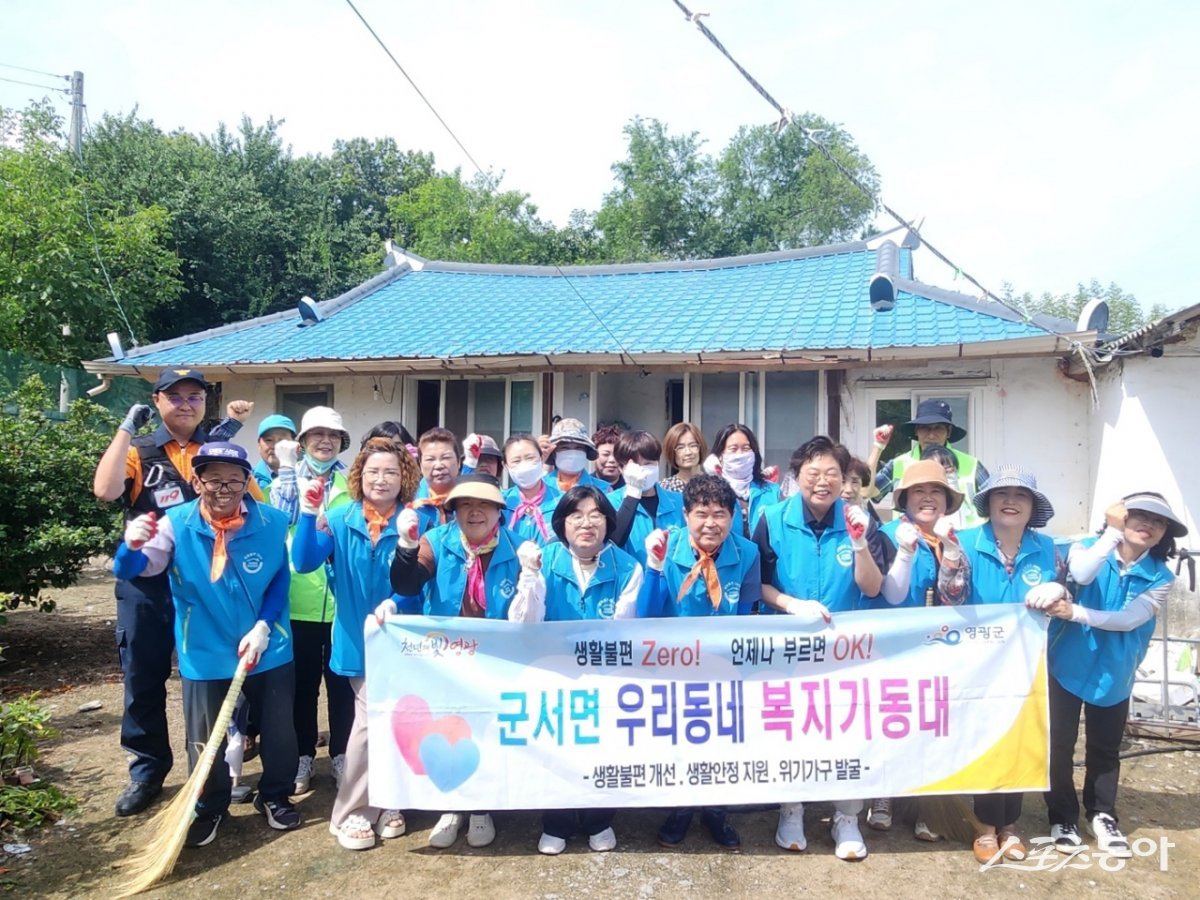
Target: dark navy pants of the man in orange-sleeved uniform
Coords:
[(146, 639)]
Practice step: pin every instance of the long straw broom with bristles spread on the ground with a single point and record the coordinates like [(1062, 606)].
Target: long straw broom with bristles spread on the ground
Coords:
[(157, 859)]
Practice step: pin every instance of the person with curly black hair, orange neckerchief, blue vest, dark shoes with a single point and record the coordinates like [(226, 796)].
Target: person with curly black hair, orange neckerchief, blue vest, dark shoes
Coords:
[(704, 569)]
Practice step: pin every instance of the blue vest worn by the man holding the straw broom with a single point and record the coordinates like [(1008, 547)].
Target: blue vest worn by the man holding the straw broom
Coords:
[(213, 617)]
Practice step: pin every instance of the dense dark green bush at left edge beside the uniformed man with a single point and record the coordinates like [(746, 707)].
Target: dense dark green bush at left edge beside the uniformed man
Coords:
[(51, 525)]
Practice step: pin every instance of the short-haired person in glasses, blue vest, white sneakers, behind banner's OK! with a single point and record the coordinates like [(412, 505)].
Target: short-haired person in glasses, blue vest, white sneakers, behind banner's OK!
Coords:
[(820, 557)]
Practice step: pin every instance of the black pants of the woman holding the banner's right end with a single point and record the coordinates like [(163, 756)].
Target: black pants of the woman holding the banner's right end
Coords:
[(1106, 728)]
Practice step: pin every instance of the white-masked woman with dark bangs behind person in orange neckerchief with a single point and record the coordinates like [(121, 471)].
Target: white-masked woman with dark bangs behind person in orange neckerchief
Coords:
[(643, 506)]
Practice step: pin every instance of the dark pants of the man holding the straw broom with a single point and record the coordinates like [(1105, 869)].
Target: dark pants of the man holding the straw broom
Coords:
[(269, 695)]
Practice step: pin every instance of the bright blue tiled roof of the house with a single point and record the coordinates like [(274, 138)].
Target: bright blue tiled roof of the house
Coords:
[(809, 301)]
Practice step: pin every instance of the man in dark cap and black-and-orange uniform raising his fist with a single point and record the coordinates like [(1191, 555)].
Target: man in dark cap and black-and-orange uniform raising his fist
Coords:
[(151, 475)]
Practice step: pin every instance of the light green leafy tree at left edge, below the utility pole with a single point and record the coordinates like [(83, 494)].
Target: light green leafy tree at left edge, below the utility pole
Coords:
[(64, 254)]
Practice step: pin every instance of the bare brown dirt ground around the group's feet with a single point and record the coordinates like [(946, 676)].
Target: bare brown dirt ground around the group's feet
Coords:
[(70, 656)]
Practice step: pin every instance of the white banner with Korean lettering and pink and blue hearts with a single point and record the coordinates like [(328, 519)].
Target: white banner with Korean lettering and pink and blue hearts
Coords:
[(473, 715)]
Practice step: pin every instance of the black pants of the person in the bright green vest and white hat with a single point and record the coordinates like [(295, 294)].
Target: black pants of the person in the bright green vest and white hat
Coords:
[(311, 643)]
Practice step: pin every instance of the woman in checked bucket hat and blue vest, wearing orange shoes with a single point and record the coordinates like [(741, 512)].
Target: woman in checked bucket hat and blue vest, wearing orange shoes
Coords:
[(1000, 562)]
